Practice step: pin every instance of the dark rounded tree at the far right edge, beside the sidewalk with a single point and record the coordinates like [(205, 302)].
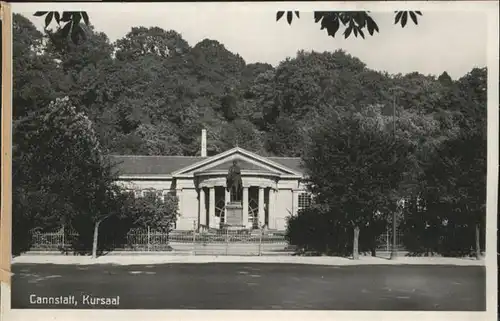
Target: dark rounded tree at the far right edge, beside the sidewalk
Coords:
[(456, 185)]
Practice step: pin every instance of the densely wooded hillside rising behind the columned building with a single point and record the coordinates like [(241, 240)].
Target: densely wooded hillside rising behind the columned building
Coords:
[(151, 92)]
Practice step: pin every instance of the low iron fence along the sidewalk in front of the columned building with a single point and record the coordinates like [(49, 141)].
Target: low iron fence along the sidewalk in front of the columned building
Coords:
[(206, 242)]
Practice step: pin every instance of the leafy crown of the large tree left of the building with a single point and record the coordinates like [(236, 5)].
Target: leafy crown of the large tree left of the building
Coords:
[(57, 160)]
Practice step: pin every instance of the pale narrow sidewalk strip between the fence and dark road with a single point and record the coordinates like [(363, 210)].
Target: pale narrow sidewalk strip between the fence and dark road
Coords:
[(166, 258)]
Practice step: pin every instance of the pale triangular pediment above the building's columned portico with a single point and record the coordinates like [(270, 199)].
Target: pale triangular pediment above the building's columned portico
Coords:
[(248, 162)]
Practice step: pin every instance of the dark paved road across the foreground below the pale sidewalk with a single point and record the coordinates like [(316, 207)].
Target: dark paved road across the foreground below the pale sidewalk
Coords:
[(255, 286)]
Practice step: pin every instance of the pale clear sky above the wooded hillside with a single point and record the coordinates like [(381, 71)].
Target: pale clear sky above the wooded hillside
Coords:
[(452, 41)]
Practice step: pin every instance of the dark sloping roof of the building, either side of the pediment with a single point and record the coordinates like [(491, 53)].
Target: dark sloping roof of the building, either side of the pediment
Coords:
[(165, 165)]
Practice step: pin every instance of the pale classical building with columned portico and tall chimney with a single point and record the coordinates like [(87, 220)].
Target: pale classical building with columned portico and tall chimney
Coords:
[(273, 187)]
